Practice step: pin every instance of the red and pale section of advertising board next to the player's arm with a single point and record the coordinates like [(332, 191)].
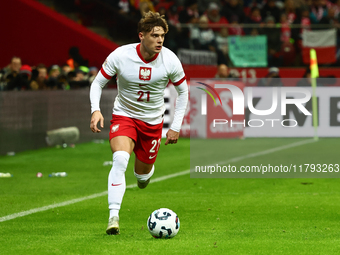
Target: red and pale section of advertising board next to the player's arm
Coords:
[(218, 103)]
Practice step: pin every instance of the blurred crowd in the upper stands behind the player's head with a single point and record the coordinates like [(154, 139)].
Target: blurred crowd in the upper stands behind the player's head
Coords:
[(206, 25)]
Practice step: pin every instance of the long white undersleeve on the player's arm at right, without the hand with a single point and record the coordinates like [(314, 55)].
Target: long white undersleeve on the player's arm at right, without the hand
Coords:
[(181, 105)]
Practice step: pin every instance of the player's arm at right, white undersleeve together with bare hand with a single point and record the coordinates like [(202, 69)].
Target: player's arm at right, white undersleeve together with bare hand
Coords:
[(181, 103)]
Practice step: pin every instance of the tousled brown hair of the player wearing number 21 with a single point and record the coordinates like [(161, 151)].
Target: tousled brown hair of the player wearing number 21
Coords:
[(151, 20)]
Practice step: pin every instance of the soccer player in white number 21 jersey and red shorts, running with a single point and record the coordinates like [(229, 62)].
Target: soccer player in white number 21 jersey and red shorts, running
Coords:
[(143, 71)]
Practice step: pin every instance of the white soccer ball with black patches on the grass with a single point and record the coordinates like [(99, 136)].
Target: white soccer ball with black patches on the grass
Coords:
[(163, 223)]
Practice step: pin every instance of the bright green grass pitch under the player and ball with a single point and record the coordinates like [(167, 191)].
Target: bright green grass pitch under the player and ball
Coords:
[(218, 216)]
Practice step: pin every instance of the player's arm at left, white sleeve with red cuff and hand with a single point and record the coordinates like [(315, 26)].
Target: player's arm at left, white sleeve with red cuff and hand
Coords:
[(105, 74)]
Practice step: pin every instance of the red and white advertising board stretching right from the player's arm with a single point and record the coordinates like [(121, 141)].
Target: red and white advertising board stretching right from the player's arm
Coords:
[(265, 111)]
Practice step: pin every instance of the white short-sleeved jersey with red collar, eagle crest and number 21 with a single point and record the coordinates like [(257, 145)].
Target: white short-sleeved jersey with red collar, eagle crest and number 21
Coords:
[(141, 83)]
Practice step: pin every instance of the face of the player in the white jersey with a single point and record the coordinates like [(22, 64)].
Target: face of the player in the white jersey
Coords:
[(153, 40)]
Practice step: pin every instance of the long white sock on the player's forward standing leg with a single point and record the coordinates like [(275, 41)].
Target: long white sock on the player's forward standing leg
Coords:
[(116, 181)]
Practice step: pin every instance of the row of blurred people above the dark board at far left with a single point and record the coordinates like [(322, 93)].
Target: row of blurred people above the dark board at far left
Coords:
[(73, 74)]
